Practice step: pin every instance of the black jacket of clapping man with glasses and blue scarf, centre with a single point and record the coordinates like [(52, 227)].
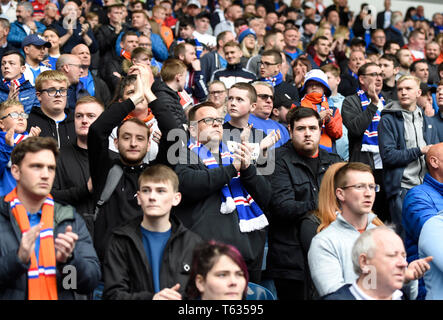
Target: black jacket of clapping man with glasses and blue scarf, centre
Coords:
[(200, 208)]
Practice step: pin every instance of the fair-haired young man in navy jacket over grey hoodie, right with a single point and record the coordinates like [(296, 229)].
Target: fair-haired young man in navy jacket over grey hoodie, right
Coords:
[(405, 135)]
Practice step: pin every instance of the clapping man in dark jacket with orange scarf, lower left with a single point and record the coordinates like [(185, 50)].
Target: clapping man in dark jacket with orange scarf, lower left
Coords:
[(40, 237)]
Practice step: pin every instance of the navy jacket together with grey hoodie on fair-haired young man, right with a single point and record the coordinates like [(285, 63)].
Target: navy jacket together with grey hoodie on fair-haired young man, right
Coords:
[(401, 134)]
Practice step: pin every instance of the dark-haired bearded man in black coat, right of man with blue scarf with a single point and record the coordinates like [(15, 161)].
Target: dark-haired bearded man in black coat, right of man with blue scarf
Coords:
[(299, 169)]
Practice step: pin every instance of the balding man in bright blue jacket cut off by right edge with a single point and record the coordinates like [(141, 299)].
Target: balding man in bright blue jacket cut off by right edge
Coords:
[(422, 203)]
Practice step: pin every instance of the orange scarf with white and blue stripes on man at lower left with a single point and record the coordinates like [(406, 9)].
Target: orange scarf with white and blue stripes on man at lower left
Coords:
[(42, 280)]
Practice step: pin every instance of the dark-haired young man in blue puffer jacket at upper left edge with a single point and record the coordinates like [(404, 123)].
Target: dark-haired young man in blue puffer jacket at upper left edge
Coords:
[(14, 84)]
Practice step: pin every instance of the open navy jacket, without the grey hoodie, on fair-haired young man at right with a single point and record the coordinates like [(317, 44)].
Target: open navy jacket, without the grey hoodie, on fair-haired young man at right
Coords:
[(393, 151)]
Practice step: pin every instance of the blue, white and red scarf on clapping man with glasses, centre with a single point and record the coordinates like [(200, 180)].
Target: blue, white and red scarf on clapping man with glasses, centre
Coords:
[(234, 196)]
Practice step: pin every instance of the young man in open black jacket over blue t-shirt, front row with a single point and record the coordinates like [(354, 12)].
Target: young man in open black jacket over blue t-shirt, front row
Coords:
[(150, 257)]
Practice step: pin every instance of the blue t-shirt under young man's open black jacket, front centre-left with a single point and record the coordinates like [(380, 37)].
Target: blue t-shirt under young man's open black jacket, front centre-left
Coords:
[(154, 244)]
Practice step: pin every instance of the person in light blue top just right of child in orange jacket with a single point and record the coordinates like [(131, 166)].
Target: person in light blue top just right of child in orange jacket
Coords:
[(336, 100)]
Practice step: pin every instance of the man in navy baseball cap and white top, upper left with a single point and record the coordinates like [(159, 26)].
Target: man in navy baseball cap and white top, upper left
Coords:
[(35, 48)]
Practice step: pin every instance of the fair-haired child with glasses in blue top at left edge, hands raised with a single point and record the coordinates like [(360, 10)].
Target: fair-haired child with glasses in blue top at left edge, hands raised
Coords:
[(13, 122)]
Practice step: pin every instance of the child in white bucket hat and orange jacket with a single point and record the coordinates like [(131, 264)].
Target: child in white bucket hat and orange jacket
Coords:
[(315, 92)]
